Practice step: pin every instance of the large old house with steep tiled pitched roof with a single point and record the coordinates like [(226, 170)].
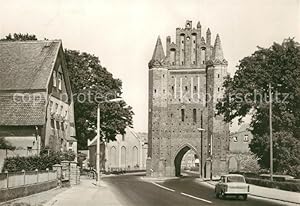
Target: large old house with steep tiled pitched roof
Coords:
[(36, 104)]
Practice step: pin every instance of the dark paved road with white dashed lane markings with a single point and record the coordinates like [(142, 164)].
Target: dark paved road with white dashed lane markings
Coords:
[(133, 191)]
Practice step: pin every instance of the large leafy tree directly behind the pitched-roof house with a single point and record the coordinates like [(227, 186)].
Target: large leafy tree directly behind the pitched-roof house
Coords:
[(89, 79)]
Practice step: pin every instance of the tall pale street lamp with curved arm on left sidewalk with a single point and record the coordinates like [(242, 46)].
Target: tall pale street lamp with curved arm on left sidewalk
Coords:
[(98, 137)]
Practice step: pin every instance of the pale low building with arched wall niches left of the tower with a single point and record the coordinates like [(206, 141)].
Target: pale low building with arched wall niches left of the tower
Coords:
[(128, 152)]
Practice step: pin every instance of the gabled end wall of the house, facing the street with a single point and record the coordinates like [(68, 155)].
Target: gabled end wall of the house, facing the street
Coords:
[(60, 117)]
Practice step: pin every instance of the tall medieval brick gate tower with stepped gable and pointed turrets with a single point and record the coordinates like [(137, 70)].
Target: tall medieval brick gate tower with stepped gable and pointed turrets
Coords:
[(184, 85)]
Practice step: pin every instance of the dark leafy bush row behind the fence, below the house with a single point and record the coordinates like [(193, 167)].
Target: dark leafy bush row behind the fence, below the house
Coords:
[(42, 162)]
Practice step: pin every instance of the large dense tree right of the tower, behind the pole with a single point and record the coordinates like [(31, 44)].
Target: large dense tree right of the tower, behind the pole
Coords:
[(247, 93)]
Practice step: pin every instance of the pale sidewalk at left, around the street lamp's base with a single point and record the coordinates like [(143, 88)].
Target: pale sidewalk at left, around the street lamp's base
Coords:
[(86, 193)]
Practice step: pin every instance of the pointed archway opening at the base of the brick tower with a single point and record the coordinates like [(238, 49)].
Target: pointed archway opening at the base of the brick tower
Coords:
[(187, 161)]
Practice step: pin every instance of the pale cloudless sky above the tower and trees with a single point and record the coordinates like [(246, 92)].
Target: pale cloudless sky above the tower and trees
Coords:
[(123, 33)]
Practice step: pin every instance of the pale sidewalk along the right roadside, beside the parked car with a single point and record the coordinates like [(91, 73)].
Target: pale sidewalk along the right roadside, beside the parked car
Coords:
[(269, 193)]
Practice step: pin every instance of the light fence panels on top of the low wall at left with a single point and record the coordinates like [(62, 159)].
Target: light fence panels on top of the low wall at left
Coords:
[(17, 179)]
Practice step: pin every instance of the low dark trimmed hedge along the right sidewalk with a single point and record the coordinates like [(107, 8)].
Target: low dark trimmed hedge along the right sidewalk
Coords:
[(287, 185)]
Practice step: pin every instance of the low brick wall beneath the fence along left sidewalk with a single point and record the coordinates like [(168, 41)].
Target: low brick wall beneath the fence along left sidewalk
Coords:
[(22, 191)]
